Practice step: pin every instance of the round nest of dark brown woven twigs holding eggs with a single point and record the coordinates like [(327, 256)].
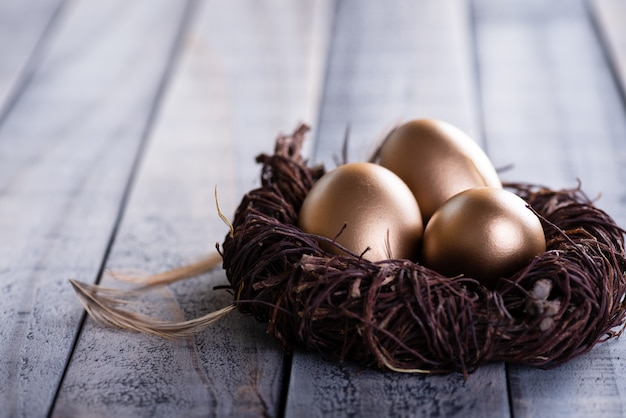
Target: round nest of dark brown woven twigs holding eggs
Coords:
[(399, 315)]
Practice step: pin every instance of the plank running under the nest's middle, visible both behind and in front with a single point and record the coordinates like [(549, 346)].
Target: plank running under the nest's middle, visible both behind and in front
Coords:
[(390, 62)]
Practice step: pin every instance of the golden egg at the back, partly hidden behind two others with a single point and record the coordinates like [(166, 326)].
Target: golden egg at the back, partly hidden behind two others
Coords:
[(436, 160)]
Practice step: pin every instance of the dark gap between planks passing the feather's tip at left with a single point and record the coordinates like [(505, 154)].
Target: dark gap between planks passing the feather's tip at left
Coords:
[(170, 67)]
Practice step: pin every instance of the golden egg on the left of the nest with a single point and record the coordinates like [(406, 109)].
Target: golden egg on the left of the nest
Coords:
[(376, 206)]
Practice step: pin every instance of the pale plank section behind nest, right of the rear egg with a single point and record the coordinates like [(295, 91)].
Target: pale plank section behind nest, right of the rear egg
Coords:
[(551, 107)]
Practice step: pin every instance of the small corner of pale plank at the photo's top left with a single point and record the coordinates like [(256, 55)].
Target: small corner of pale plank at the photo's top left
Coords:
[(24, 25)]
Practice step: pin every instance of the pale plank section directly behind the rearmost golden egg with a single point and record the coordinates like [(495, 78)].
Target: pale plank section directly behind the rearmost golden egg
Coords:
[(391, 63)]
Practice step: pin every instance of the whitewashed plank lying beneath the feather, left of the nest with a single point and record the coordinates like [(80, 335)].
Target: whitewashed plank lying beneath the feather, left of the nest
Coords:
[(248, 70)]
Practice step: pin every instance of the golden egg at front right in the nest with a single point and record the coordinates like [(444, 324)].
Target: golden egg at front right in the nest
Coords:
[(484, 233)]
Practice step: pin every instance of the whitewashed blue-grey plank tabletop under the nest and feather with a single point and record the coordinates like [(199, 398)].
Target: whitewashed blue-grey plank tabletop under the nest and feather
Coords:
[(119, 117)]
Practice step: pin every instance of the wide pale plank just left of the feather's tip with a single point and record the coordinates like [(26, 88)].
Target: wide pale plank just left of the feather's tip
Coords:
[(66, 152)]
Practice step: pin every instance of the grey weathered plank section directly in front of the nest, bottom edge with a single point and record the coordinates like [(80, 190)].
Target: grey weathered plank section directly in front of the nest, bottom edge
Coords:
[(330, 390)]
